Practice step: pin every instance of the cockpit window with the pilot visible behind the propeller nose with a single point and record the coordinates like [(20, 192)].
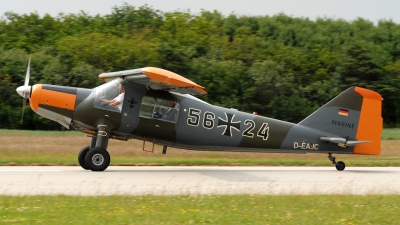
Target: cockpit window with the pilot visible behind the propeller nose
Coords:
[(109, 96)]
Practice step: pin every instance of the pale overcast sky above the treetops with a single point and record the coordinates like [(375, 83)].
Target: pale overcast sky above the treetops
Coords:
[(372, 10)]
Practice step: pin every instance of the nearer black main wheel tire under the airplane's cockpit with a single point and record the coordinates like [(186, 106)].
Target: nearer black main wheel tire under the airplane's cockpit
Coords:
[(97, 159)]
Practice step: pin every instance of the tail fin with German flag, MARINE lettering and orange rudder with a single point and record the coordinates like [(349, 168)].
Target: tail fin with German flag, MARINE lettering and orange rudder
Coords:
[(355, 115)]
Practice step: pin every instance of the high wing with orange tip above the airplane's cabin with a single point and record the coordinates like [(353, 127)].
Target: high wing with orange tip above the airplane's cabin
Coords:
[(157, 79)]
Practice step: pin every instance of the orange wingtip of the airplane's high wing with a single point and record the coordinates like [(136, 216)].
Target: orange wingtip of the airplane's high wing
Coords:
[(171, 78)]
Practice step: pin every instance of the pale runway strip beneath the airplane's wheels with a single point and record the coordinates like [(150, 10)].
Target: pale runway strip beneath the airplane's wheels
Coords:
[(165, 180)]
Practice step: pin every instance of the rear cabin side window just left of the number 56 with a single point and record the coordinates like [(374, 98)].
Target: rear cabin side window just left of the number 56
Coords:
[(158, 108)]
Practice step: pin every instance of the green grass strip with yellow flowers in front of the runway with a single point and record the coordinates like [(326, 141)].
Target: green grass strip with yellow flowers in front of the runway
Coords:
[(212, 209)]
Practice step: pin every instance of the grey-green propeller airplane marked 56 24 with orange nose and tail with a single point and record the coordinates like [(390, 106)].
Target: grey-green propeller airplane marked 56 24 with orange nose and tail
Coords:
[(158, 105)]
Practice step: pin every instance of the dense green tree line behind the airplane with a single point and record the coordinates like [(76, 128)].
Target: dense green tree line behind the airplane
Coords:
[(280, 66)]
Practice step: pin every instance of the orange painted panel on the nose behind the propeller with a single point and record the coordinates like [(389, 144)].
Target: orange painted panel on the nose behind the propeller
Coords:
[(57, 99)]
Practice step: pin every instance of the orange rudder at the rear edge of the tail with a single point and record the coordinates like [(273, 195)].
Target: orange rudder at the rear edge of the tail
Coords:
[(370, 124)]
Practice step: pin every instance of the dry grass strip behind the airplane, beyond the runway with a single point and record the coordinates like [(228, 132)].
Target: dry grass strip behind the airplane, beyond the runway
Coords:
[(61, 148)]
